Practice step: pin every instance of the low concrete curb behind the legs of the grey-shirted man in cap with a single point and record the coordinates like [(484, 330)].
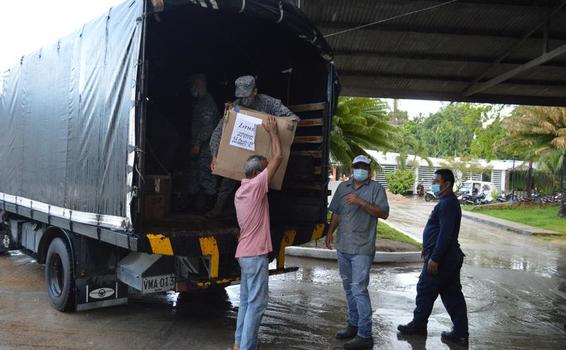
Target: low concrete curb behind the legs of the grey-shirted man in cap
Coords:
[(380, 257)]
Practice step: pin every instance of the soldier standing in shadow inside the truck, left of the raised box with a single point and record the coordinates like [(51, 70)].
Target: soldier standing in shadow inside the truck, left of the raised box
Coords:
[(202, 185)]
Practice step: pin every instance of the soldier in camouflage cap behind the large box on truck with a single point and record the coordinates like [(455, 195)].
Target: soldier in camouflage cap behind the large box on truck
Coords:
[(247, 96)]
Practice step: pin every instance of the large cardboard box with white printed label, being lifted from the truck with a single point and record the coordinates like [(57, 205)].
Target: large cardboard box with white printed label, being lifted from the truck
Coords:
[(248, 137)]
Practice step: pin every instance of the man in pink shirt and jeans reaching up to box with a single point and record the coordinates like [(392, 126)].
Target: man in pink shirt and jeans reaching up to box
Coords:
[(252, 210)]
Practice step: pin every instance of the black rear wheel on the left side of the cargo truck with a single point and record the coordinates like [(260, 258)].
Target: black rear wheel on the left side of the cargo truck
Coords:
[(59, 275)]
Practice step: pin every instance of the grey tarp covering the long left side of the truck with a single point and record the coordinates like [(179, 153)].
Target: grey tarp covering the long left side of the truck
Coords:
[(65, 115)]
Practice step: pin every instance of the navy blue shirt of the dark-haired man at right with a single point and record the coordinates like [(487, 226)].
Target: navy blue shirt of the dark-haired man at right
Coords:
[(440, 236)]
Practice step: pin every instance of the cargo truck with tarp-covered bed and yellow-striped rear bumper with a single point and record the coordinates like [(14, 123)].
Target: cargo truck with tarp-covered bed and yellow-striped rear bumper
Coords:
[(93, 133)]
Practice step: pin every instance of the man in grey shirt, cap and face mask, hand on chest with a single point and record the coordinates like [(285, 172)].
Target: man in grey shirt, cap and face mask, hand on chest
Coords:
[(356, 207)]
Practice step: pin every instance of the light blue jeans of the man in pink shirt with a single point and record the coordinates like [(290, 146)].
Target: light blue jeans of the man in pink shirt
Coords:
[(253, 299)]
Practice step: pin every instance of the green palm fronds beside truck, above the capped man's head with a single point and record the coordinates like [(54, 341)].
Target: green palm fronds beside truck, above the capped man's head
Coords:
[(359, 124)]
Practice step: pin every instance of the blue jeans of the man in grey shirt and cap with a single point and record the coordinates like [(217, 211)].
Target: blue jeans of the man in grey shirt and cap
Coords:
[(354, 270)]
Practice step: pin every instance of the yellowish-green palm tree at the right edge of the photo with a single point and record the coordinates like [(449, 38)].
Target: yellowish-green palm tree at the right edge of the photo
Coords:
[(541, 130)]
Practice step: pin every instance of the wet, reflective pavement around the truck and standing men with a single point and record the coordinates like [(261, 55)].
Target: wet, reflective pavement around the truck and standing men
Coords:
[(515, 287)]
